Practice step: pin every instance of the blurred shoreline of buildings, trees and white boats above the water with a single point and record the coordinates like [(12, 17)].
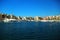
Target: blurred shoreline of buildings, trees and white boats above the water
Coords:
[(13, 18)]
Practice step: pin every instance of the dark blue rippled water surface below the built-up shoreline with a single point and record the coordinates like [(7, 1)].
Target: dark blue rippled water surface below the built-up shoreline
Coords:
[(25, 30)]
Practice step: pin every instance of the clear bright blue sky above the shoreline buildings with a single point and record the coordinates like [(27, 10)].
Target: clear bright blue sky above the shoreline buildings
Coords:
[(30, 7)]
